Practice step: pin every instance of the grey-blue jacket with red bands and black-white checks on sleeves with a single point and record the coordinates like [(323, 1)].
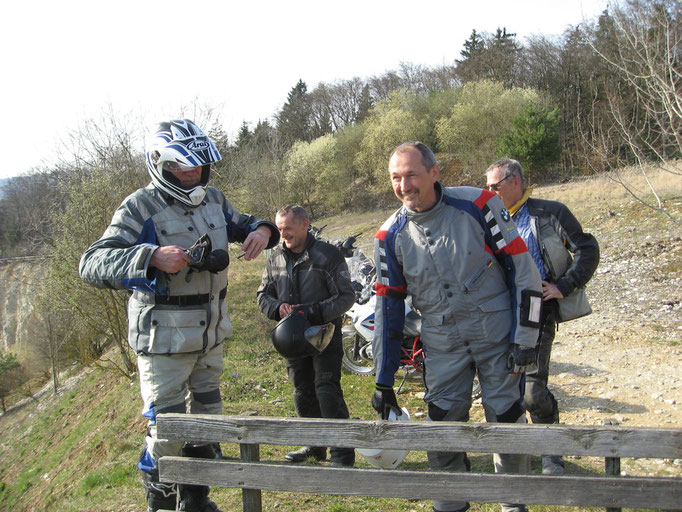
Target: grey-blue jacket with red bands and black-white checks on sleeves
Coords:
[(467, 270)]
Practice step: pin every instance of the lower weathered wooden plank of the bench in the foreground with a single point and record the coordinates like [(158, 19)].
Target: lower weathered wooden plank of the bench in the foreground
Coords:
[(646, 492)]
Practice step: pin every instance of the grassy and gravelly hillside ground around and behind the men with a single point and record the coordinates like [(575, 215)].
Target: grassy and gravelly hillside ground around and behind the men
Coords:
[(623, 363)]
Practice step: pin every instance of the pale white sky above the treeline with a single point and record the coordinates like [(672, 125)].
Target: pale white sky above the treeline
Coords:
[(144, 61)]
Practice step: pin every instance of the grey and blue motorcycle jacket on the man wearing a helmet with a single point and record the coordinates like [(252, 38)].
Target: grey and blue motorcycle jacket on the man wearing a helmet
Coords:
[(179, 313)]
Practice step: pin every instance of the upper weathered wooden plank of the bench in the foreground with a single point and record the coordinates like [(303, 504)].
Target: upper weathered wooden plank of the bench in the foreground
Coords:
[(604, 441)]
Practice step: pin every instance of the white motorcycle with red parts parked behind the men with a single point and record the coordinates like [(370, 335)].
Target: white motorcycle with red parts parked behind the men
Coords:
[(358, 328)]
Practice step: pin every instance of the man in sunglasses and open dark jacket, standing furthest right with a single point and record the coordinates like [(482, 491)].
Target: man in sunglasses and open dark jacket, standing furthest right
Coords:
[(566, 258)]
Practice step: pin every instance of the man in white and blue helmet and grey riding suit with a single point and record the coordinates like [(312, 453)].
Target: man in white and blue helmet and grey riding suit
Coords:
[(167, 245)]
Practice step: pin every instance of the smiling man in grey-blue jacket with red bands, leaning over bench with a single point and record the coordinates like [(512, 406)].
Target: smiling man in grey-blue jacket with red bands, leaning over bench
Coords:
[(459, 256)]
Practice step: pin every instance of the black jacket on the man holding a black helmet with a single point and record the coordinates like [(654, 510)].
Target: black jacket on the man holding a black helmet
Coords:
[(318, 278)]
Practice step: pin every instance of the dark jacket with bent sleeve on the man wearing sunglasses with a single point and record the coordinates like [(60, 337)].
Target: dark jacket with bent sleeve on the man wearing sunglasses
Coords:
[(558, 232)]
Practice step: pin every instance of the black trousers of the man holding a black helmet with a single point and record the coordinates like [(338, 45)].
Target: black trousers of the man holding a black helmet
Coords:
[(317, 388)]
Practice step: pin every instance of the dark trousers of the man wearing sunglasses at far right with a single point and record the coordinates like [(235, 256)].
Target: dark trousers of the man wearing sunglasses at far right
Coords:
[(538, 400)]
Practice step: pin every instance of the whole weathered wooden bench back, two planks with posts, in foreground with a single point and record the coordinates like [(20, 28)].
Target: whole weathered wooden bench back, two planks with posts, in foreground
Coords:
[(252, 475)]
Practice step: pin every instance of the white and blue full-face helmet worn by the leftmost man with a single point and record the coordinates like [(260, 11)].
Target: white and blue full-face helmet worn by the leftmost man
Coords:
[(183, 143)]
